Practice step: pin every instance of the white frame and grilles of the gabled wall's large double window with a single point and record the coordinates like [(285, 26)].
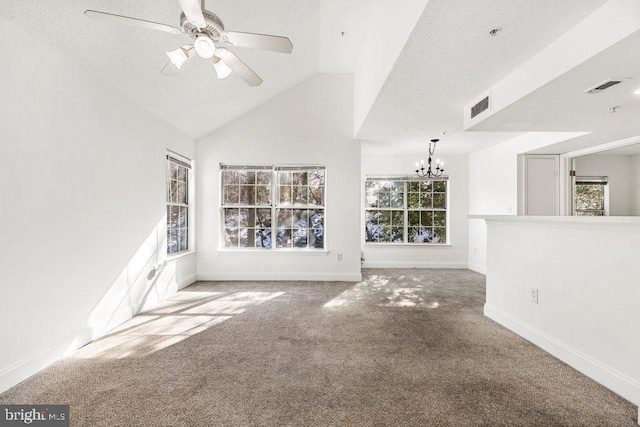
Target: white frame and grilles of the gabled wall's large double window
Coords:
[(274, 206)]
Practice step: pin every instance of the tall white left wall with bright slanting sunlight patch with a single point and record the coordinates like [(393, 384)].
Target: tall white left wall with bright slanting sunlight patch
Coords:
[(83, 207)]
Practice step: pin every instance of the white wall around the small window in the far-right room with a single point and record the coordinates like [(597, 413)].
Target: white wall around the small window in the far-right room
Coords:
[(621, 170)]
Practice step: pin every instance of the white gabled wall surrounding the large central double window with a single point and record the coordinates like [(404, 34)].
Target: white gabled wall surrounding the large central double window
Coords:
[(311, 123)]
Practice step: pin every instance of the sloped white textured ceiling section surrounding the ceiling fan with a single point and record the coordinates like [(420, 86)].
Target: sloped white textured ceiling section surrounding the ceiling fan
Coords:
[(130, 58)]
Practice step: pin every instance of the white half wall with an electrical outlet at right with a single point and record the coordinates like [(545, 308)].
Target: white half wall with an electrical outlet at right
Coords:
[(587, 281)]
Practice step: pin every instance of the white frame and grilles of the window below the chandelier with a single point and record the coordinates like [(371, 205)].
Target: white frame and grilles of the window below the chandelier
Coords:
[(406, 209)]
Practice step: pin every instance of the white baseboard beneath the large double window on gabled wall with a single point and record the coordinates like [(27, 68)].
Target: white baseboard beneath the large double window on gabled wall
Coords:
[(304, 277)]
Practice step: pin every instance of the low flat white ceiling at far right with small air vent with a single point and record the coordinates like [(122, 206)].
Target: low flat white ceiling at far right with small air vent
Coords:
[(560, 105)]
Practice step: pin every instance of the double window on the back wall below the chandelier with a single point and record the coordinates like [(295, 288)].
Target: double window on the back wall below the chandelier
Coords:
[(411, 211)]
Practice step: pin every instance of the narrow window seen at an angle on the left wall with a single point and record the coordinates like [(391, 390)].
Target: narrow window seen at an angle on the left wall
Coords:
[(177, 204)]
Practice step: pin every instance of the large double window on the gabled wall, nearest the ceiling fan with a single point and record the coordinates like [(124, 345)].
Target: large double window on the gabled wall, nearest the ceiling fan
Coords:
[(273, 207)]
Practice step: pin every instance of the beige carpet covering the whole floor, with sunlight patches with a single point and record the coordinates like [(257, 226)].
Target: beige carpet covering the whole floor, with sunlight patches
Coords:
[(401, 348)]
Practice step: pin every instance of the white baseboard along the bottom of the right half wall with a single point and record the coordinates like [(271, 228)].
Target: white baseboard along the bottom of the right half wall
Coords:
[(617, 382)]
